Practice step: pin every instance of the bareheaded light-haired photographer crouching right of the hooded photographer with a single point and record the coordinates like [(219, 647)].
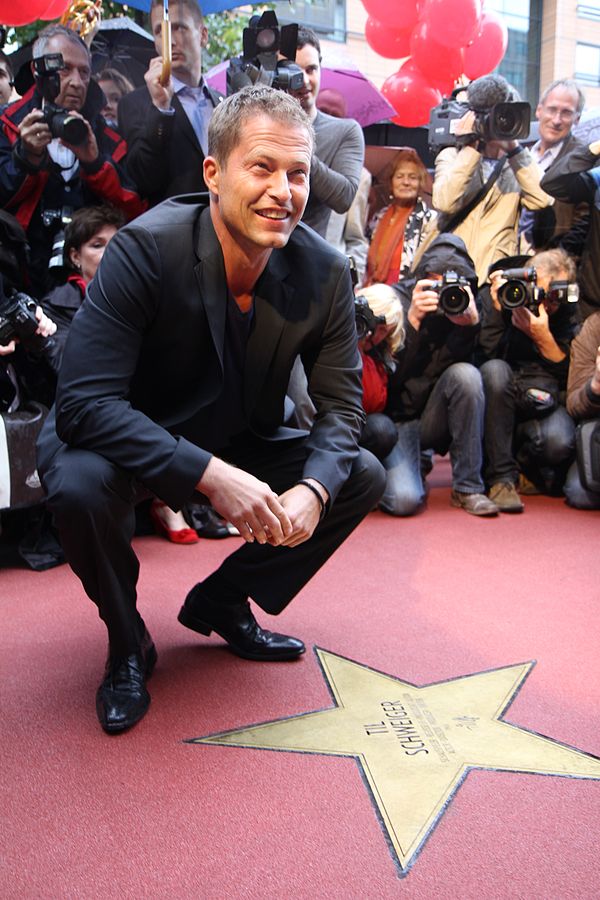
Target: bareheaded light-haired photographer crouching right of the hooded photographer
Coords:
[(525, 337)]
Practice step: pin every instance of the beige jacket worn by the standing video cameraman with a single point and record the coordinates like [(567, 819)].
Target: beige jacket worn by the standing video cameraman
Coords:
[(490, 230)]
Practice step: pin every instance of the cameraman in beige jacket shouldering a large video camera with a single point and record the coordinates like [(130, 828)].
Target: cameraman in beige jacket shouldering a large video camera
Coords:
[(499, 175)]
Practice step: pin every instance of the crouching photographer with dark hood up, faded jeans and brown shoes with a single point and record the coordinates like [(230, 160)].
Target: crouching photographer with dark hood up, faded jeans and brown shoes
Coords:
[(435, 395)]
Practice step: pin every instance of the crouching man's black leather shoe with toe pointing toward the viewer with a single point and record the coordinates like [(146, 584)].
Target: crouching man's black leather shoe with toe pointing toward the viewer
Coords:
[(122, 698)]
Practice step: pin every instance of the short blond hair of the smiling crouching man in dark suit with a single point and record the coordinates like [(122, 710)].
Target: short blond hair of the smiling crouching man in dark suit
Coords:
[(227, 121)]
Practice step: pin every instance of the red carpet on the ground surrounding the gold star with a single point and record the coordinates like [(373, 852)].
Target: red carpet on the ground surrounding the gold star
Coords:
[(425, 600)]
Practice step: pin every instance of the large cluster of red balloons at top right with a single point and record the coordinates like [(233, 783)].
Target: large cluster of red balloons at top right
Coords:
[(443, 40)]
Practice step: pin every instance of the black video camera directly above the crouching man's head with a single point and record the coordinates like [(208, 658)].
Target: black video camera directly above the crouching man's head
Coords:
[(264, 42)]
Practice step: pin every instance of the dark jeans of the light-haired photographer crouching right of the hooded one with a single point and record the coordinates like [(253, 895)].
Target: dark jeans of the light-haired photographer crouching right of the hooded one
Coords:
[(542, 448)]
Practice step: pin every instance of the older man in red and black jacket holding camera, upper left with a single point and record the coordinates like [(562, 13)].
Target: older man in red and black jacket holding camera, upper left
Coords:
[(56, 153)]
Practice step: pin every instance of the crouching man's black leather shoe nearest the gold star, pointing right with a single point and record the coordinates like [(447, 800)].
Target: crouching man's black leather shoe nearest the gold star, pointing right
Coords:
[(236, 624)]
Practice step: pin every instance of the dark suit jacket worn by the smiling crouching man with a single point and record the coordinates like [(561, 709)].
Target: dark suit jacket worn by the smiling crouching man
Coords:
[(144, 353)]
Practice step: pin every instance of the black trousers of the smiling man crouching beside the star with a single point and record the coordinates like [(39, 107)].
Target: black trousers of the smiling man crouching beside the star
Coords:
[(93, 503)]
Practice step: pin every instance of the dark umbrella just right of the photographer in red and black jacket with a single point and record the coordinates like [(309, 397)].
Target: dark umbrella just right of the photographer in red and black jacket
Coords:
[(121, 44)]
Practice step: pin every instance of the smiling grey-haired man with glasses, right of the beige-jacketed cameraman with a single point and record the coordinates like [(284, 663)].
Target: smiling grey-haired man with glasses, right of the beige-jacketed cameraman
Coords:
[(558, 111)]
